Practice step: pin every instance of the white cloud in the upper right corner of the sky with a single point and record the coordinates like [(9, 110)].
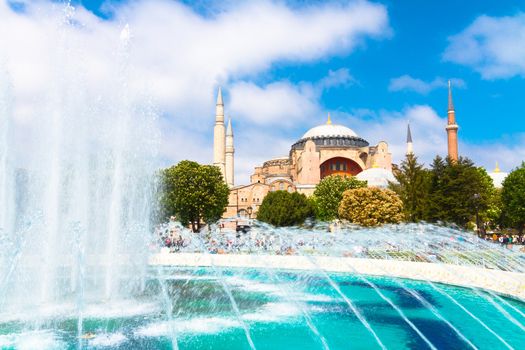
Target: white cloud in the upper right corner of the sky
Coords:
[(493, 46)]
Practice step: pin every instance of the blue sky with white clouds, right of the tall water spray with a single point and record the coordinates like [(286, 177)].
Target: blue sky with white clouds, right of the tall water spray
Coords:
[(373, 65)]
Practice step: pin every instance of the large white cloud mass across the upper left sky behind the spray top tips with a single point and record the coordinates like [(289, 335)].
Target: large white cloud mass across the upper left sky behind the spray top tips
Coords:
[(177, 59)]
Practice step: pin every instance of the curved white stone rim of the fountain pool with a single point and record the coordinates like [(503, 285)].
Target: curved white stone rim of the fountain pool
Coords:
[(502, 282)]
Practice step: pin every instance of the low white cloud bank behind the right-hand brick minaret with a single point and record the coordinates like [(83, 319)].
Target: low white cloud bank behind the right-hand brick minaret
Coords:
[(430, 138)]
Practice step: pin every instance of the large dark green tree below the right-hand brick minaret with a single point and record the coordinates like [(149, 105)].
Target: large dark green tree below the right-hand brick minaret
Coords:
[(459, 189)]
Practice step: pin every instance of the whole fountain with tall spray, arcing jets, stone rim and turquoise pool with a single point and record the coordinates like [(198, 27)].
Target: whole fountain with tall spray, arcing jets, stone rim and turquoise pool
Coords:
[(82, 267)]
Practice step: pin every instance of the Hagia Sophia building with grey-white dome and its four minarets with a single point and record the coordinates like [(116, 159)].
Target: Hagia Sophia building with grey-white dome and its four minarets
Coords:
[(324, 150)]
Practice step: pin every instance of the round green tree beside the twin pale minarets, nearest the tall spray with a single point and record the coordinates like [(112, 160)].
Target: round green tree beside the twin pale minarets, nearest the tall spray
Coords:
[(193, 193)]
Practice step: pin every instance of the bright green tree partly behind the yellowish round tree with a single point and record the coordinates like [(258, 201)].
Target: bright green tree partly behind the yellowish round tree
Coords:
[(328, 194)]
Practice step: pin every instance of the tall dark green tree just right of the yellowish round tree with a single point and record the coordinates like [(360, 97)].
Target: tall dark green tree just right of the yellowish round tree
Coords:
[(413, 187)]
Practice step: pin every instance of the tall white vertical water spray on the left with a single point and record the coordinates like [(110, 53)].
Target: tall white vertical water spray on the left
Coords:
[(79, 197)]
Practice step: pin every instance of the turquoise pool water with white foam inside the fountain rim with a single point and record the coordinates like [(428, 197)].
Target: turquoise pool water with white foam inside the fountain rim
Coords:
[(191, 309)]
